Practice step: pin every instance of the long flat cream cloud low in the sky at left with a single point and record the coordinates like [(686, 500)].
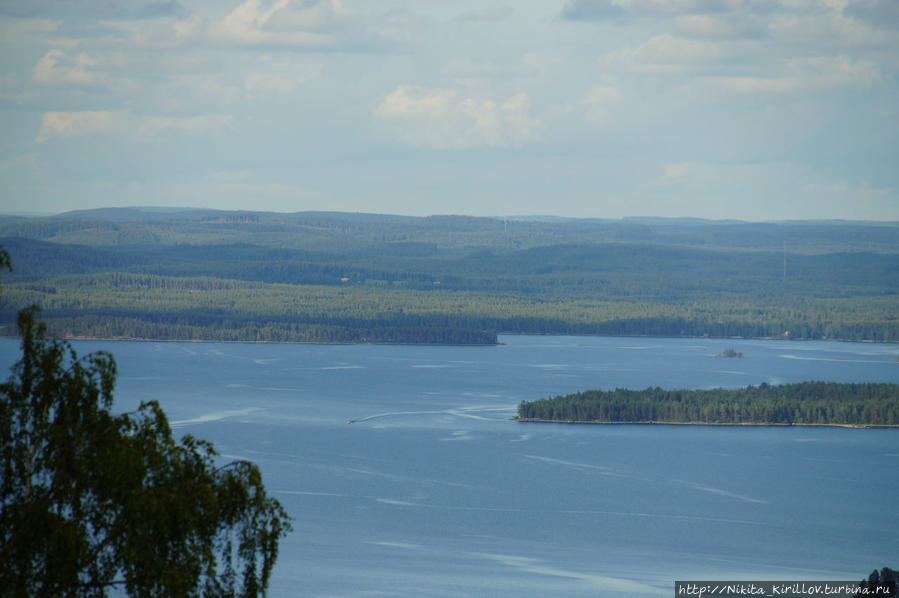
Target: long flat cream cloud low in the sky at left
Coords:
[(76, 124)]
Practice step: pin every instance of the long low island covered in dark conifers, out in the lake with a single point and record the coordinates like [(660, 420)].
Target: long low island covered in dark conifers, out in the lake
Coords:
[(804, 403)]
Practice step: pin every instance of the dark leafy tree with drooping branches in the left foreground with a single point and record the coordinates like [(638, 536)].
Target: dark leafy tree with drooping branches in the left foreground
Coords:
[(91, 500)]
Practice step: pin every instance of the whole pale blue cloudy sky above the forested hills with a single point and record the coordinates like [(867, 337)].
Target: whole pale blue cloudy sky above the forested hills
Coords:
[(756, 110)]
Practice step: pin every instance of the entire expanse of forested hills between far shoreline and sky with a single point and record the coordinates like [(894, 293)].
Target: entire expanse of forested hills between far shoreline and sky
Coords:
[(328, 277)]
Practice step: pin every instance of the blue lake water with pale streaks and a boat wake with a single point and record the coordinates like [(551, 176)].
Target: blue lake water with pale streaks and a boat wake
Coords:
[(434, 491)]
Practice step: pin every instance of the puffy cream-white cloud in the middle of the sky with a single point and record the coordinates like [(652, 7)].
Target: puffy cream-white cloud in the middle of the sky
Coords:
[(445, 119)]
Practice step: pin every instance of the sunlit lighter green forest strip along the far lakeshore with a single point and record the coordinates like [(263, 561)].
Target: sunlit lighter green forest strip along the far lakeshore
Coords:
[(121, 305)]
